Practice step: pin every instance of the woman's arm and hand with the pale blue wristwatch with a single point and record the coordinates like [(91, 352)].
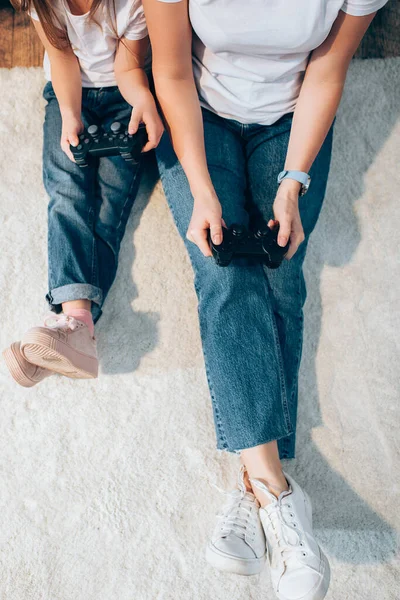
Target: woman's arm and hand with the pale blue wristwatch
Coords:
[(315, 110)]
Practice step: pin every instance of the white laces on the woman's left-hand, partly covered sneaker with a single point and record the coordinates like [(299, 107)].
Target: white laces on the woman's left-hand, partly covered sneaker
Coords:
[(238, 515)]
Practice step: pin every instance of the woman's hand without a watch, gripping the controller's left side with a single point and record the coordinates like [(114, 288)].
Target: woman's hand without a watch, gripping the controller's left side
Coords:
[(207, 215)]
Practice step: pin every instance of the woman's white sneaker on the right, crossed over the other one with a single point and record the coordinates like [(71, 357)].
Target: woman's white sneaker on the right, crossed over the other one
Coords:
[(299, 568)]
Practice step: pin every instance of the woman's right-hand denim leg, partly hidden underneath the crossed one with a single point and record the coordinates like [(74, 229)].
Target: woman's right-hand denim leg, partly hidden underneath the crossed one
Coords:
[(265, 152)]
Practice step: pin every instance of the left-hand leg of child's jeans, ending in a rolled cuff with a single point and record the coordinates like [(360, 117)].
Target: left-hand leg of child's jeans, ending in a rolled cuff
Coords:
[(71, 213)]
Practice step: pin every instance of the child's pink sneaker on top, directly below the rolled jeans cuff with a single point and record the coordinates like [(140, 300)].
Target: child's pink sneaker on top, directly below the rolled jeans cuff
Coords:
[(64, 345)]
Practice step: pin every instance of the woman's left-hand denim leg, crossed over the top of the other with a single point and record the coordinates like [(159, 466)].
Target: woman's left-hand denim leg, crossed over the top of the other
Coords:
[(241, 348)]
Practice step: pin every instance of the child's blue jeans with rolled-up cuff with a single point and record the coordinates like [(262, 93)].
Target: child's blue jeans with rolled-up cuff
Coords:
[(89, 207)]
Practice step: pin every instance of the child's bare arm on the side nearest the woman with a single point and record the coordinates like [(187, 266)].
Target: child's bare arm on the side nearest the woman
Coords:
[(134, 86)]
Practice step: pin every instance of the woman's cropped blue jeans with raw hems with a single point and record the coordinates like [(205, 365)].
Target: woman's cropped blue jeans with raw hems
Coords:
[(251, 318)]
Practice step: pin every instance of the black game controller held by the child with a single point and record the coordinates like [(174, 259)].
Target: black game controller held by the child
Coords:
[(96, 142)]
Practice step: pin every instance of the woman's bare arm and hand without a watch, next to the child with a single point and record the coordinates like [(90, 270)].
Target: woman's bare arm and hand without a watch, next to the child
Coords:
[(171, 41)]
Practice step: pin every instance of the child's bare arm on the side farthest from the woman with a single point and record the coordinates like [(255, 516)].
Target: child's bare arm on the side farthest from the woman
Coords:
[(67, 85)]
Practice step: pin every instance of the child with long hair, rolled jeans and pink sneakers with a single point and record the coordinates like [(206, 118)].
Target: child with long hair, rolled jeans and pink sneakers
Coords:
[(95, 52)]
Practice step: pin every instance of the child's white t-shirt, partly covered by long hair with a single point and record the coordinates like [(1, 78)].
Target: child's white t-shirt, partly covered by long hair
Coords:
[(95, 45)]
